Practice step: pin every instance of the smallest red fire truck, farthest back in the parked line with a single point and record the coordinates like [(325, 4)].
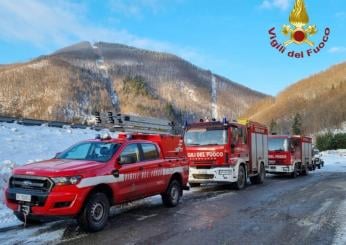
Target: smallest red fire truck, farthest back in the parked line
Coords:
[(289, 155)]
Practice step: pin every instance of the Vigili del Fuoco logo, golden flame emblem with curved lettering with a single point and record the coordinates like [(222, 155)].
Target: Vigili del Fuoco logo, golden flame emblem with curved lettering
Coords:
[(299, 32)]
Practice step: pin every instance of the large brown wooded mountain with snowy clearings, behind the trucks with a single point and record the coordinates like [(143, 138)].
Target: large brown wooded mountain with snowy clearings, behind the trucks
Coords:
[(75, 81)]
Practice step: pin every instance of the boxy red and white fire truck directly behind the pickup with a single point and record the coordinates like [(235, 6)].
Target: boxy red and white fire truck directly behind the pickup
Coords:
[(226, 152)]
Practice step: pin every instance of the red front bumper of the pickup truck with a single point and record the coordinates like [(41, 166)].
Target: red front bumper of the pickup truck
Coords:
[(61, 201)]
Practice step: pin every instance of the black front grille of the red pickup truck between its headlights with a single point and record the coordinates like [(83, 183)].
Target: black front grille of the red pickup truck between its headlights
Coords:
[(31, 183)]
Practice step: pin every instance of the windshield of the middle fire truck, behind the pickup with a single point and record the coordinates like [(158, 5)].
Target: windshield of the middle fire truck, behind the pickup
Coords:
[(205, 137)]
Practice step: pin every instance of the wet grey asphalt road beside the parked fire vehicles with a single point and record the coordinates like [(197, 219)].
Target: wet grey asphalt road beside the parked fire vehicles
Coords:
[(306, 210)]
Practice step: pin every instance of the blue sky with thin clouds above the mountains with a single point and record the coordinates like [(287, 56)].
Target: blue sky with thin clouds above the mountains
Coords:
[(228, 37)]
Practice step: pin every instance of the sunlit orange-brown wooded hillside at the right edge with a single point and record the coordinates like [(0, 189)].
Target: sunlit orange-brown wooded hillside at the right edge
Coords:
[(320, 100)]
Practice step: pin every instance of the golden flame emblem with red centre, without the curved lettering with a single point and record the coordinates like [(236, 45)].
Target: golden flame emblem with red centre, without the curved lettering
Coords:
[(299, 18)]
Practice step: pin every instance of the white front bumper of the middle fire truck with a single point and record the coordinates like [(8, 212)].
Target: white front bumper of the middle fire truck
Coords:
[(212, 175)]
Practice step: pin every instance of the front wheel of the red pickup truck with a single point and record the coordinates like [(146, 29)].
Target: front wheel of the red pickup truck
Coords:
[(95, 213)]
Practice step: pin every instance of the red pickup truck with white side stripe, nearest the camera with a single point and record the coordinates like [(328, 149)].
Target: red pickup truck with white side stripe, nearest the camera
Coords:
[(89, 177)]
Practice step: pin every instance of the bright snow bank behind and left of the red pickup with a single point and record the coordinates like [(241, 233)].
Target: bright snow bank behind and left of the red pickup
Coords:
[(25, 144)]
